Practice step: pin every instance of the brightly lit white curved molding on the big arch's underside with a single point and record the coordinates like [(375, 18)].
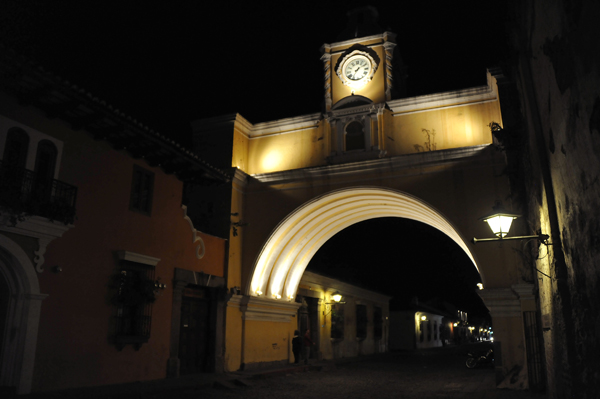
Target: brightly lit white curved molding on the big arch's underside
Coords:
[(293, 243)]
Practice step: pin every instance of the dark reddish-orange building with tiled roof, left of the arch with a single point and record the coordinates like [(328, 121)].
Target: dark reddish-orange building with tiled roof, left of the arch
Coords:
[(103, 277)]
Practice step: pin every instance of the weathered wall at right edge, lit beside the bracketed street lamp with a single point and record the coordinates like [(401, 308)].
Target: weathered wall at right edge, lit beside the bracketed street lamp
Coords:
[(552, 140)]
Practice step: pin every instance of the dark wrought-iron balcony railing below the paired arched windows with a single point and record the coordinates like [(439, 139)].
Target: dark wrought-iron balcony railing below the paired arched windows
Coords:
[(23, 193)]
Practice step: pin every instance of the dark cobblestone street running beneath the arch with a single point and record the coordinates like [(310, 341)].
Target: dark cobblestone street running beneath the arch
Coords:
[(433, 374)]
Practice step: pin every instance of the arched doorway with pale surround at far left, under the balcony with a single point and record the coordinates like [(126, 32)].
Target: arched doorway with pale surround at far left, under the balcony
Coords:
[(21, 314)]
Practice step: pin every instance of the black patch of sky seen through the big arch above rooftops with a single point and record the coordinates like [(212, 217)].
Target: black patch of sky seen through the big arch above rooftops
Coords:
[(405, 259)]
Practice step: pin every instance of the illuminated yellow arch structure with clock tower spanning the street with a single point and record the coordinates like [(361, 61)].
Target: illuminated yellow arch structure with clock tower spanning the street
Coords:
[(301, 180)]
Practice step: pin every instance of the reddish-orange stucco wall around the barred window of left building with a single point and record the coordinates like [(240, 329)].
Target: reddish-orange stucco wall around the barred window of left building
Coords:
[(75, 340)]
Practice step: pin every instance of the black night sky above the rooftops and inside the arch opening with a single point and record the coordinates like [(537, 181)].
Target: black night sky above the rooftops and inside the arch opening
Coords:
[(167, 63)]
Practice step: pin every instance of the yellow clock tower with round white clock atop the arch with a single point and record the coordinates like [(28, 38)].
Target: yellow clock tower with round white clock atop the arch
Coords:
[(358, 81)]
